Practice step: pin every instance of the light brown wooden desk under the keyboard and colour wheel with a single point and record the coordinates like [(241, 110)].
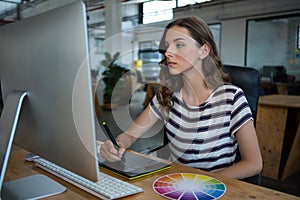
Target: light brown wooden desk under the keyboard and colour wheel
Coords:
[(18, 168)]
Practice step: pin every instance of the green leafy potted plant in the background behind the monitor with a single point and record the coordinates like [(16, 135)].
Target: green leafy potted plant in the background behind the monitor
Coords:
[(112, 73)]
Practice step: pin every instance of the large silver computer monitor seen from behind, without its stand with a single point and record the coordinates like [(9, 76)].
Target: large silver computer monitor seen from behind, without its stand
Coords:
[(47, 56)]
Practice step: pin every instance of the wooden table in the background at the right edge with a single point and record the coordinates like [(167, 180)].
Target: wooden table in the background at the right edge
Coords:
[(278, 132)]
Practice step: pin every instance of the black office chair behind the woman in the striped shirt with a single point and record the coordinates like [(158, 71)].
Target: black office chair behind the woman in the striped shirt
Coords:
[(248, 80)]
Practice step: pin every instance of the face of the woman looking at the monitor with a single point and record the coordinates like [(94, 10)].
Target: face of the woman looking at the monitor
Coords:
[(182, 51)]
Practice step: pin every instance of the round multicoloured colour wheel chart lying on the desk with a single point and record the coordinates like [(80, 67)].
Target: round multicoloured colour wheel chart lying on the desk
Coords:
[(187, 186)]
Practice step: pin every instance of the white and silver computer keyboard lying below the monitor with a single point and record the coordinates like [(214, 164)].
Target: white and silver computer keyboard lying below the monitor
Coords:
[(107, 187)]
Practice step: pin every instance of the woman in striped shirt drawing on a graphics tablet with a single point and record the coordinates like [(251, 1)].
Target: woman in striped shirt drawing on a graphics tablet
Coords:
[(205, 116)]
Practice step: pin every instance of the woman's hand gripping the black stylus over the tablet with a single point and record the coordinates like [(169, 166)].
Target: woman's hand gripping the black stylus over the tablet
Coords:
[(109, 152)]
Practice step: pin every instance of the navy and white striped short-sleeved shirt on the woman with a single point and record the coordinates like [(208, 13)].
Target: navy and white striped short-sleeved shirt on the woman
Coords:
[(204, 136)]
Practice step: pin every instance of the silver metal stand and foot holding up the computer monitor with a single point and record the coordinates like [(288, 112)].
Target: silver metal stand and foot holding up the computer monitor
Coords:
[(30, 187)]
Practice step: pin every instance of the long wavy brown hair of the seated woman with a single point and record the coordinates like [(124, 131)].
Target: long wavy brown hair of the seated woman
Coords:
[(211, 65)]
